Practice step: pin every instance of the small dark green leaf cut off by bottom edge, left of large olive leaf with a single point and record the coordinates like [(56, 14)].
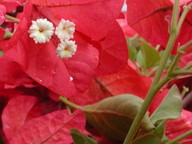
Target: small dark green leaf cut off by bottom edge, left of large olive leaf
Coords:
[(80, 138)]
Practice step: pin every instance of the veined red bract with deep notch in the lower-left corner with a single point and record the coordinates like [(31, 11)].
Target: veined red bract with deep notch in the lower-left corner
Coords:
[(52, 128)]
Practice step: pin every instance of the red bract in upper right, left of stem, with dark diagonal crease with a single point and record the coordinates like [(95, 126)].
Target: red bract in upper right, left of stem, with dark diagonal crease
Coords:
[(149, 20)]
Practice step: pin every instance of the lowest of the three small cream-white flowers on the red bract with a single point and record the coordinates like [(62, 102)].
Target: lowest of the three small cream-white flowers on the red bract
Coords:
[(66, 49)]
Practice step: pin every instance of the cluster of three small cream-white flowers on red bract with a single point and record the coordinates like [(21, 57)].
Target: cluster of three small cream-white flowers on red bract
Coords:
[(42, 30)]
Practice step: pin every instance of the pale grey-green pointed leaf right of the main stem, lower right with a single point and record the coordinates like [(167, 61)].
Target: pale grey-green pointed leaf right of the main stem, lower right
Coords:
[(171, 106)]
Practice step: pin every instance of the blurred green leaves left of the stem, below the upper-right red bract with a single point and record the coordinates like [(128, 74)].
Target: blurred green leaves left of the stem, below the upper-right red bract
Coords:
[(140, 52)]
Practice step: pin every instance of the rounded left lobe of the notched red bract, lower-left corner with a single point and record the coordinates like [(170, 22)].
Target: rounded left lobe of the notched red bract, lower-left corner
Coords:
[(15, 113)]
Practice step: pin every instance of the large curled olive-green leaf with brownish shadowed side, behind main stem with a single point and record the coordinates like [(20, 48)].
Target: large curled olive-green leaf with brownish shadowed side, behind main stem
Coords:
[(113, 116)]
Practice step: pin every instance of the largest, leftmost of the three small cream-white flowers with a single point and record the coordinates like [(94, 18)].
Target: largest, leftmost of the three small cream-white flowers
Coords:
[(41, 30)]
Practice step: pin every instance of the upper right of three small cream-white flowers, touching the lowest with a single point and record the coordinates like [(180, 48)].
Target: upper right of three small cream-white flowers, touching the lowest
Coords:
[(65, 30)]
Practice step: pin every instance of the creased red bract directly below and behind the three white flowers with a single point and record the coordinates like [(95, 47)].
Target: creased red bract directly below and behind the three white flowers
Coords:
[(42, 64)]
